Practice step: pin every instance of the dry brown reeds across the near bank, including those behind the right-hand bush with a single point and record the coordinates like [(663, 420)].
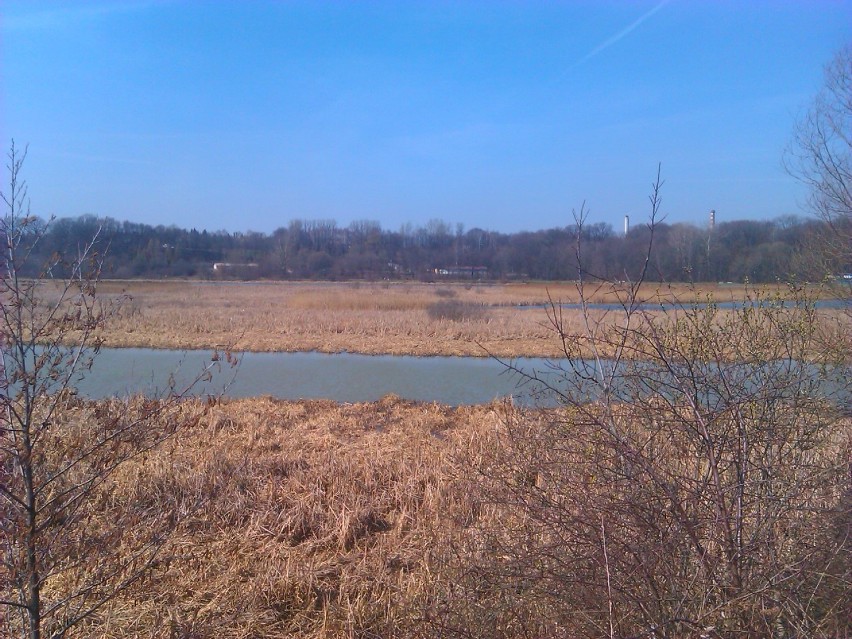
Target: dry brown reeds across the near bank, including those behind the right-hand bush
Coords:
[(397, 519)]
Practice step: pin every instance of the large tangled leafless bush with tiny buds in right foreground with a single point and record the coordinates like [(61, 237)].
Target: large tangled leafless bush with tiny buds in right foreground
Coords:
[(691, 477)]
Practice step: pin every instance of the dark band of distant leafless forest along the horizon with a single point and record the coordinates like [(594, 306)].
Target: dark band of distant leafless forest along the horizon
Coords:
[(760, 251)]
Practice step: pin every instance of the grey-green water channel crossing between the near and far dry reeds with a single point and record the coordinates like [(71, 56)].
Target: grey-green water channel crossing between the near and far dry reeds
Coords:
[(348, 377)]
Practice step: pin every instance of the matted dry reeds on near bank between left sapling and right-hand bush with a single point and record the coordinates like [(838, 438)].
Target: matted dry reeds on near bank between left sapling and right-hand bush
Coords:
[(304, 519)]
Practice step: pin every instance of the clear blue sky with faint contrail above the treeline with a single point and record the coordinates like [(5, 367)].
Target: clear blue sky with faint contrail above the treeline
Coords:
[(501, 115)]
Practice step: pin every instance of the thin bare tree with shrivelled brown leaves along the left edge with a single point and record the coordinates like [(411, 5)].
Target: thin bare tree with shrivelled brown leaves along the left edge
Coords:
[(62, 558)]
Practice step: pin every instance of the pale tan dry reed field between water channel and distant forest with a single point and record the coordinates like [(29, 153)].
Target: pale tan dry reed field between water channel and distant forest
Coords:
[(385, 318)]
